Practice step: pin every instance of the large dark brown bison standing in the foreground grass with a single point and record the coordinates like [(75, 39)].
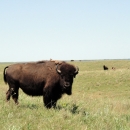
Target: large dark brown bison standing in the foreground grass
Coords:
[(49, 79)]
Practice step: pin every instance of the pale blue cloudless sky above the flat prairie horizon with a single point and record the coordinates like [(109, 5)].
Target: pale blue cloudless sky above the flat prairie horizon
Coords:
[(33, 30)]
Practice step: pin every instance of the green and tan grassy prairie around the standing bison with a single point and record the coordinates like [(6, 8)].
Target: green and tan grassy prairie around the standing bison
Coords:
[(100, 101)]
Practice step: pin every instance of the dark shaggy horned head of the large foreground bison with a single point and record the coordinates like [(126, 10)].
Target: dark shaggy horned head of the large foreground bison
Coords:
[(67, 72)]
